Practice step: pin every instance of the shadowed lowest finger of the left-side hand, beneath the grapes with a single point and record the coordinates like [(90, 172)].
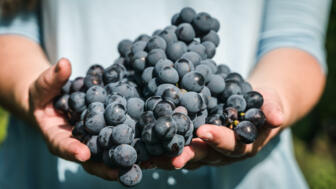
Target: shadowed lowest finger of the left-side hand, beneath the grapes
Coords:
[(100, 170)]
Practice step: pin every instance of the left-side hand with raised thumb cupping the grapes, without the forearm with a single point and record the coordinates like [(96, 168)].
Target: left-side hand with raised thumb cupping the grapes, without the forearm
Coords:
[(53, 126)]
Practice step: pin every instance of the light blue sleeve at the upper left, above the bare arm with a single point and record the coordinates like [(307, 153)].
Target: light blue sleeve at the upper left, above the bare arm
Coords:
[(25, 24)]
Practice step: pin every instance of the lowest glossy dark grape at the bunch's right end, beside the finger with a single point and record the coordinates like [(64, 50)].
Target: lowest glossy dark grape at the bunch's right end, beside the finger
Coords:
[(246, 132)]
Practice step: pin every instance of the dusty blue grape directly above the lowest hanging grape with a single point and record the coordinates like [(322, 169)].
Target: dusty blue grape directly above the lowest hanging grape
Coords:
[(124, 155)]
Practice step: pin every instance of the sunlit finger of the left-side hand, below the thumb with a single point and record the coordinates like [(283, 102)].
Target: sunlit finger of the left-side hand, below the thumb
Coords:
[(61, 143)]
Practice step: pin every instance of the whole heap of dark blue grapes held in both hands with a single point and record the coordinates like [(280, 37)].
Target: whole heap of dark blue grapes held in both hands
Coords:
[(153, 98)]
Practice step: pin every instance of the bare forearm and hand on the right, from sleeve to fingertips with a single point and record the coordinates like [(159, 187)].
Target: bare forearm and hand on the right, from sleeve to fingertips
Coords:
[(281, 77)]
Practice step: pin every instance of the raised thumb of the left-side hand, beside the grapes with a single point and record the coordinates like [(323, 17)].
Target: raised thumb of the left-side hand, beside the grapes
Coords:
[(50, 82)]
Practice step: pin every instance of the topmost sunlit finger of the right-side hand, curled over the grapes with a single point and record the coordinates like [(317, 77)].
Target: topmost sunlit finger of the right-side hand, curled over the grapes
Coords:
[(222, 139)]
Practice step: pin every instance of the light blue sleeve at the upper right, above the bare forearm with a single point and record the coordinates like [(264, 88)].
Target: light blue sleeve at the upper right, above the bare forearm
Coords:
[(295, 24)]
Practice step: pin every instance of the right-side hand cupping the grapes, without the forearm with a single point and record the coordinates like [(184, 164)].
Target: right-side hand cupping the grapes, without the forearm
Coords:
[(217, 145)]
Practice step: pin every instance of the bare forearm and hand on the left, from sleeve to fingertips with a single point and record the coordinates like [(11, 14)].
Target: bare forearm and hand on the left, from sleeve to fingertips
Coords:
[(30, 89)]
